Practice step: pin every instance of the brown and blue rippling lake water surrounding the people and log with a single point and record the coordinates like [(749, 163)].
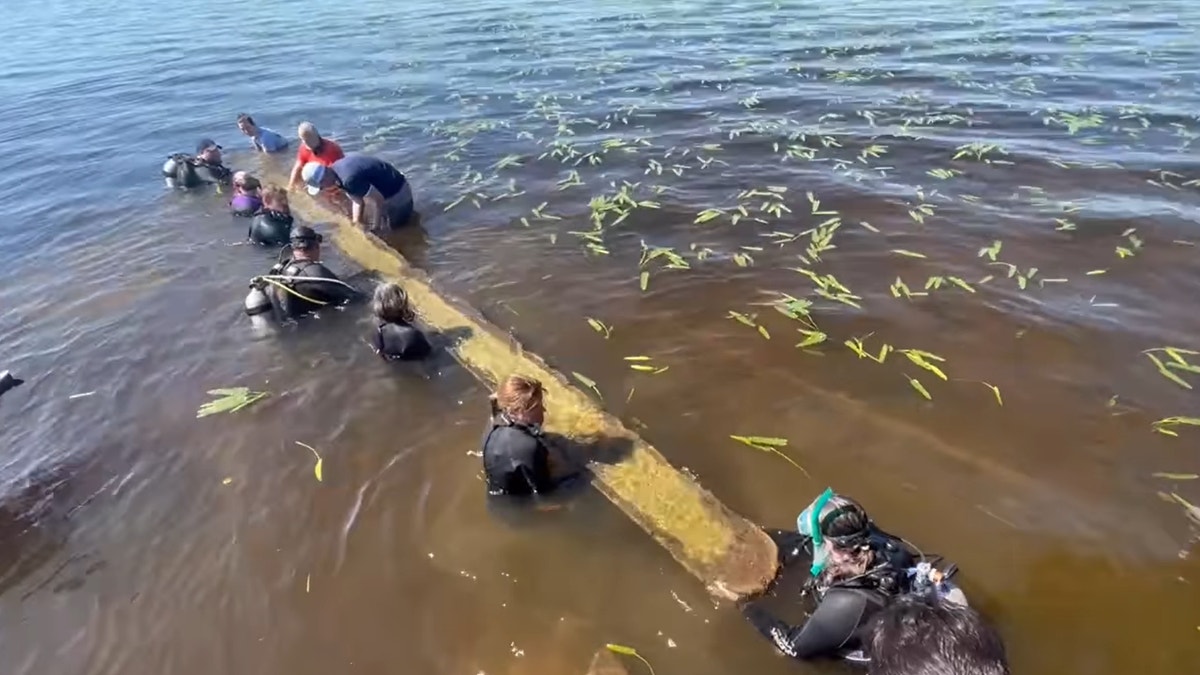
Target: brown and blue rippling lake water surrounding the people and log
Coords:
[(164, 543)]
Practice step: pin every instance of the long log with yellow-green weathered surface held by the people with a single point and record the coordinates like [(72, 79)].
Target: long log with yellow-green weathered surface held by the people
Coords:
[(712, 542)]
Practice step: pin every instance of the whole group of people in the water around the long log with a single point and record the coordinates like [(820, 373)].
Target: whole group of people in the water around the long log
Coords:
[(871, 598)]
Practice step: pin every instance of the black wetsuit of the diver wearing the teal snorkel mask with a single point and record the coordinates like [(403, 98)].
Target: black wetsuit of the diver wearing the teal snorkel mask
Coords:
[(844, 611)]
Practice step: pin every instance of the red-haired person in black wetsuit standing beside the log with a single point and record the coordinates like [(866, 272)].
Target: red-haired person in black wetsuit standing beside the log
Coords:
[(517, 461)]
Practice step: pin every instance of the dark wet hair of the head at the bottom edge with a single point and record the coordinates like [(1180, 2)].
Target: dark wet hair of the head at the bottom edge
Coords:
[(925, 636)]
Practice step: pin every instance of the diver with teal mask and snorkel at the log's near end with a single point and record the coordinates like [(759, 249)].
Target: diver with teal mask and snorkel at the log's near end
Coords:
[(851, 571)]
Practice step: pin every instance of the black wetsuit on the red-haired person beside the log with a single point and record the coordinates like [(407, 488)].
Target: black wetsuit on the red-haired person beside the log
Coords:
[(515, 458)]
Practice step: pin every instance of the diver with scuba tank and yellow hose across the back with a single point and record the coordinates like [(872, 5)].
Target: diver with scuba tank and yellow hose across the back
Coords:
[(298, 285)]
